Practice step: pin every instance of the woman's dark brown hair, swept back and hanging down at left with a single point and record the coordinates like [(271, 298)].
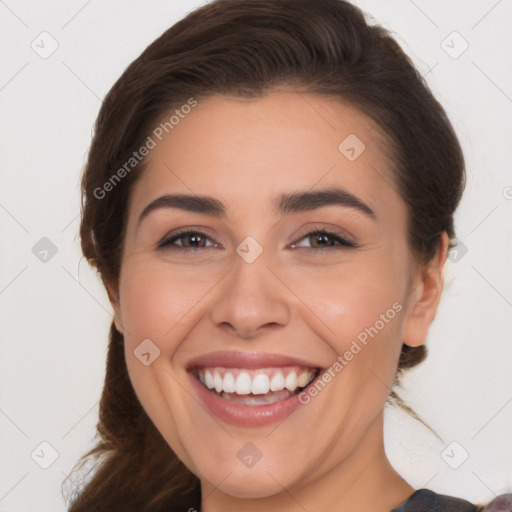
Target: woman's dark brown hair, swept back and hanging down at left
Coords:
[(245, 48)]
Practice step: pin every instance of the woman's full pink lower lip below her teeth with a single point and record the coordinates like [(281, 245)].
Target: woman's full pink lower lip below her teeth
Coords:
[(244, 415)]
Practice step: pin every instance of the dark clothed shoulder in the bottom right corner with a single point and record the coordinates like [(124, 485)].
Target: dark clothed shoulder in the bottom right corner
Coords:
[(425, 500)]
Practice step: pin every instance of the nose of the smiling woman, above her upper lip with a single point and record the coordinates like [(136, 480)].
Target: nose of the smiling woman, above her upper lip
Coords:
[(252, 300)]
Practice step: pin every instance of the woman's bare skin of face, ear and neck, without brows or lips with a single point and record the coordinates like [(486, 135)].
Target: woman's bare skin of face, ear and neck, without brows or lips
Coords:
[(328, 454)]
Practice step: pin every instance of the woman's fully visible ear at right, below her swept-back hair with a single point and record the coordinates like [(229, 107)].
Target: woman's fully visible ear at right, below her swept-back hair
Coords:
[(424, 296)]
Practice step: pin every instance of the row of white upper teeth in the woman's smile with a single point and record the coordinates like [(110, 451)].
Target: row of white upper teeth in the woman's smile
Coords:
[(257, 382)]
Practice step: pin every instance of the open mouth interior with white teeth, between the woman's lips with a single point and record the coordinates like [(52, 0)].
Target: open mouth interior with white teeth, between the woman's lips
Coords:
[(260, 386)]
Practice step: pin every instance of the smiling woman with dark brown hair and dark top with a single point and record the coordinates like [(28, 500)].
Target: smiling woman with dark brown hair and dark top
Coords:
[(269, 201)]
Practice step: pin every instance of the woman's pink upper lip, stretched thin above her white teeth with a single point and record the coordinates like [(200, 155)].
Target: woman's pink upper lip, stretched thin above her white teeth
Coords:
[(249, 360)]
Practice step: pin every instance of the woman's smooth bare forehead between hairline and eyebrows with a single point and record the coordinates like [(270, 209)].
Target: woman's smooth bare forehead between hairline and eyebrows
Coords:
[(245, 150)]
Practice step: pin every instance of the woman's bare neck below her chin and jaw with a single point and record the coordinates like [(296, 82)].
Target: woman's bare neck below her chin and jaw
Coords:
[(362, 481)]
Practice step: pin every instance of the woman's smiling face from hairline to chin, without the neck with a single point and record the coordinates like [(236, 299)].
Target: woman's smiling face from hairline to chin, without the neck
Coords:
[(250, 299)]
